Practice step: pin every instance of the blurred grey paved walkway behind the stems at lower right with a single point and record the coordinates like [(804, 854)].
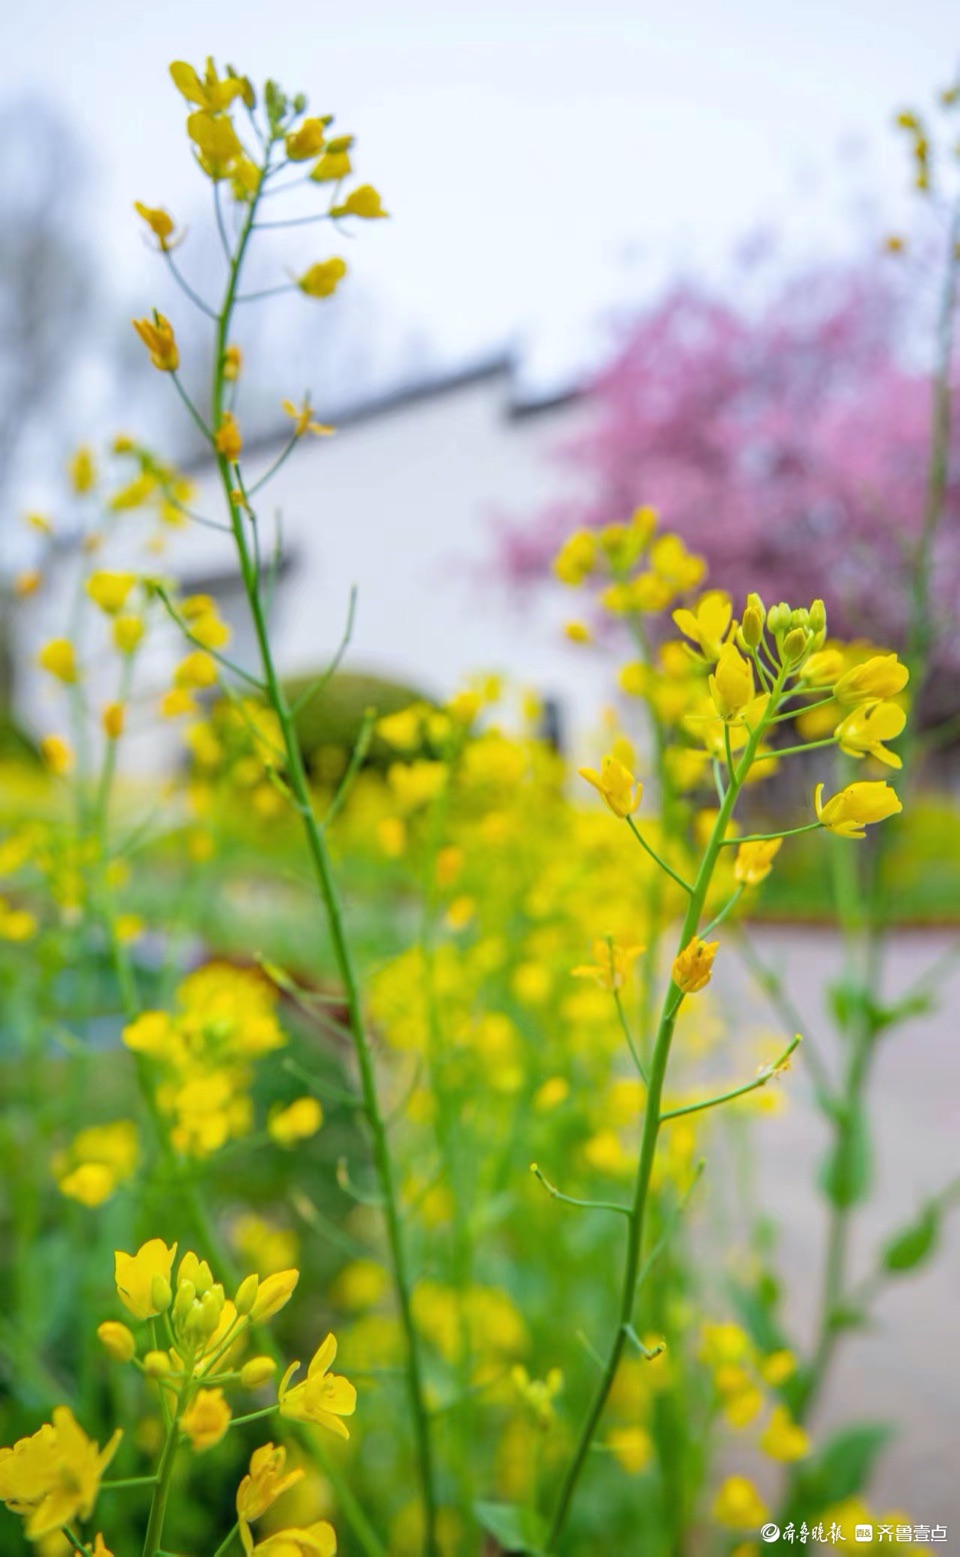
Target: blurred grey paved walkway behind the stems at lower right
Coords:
[(906, 1369)]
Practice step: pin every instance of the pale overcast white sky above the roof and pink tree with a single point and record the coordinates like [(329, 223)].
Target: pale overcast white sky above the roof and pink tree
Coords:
[(541, 158)]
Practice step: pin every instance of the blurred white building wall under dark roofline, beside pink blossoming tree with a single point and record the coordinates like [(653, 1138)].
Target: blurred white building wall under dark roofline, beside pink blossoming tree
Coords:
[(401, 505)]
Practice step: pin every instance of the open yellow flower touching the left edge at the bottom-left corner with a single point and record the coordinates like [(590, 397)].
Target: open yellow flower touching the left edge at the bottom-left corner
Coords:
[(54, 1477)]
